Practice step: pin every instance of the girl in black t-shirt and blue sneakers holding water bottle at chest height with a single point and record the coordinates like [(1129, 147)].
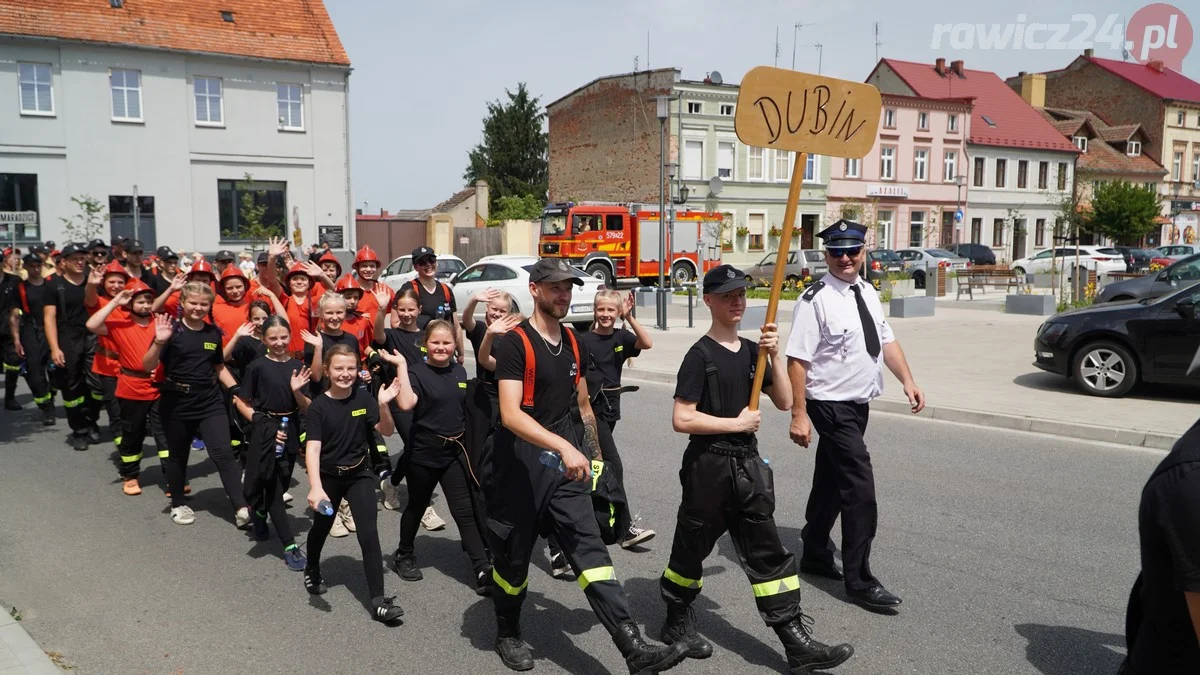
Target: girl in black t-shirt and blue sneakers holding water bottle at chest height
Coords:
[(273, 390)]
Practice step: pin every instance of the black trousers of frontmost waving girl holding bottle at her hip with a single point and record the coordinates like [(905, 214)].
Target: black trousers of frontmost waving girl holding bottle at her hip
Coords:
[(358, 489)]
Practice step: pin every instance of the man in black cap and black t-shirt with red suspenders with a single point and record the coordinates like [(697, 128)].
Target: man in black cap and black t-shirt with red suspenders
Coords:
[(535, 475)]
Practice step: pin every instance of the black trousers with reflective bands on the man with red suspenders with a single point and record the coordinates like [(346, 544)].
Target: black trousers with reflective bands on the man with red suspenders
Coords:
[(526, 499)]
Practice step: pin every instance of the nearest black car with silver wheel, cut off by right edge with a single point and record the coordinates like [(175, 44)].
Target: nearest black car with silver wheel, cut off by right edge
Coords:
[(1109, 349)]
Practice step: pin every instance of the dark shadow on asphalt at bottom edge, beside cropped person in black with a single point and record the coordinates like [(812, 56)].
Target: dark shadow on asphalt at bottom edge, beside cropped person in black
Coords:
[(1063, 649)]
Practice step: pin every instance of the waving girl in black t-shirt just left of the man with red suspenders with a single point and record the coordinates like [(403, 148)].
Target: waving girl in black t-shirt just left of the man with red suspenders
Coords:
[(436, 392)]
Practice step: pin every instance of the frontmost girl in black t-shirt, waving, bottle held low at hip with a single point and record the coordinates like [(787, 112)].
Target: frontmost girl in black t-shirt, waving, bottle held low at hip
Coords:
[(339, 440)]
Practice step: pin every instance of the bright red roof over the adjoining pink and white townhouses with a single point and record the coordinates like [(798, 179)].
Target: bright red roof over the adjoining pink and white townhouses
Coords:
[(1017, 124)]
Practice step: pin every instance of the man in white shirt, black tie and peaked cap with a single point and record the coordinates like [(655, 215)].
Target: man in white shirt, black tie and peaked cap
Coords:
[(836, 357)]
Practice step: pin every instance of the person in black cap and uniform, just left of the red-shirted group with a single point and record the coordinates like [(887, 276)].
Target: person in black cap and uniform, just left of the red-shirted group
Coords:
[(71, 347)]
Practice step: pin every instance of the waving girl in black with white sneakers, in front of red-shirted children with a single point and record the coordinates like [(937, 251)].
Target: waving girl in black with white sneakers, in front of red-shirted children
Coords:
[(191, 404)]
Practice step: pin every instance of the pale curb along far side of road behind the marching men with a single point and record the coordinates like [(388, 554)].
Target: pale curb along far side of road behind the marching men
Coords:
[(1155, 440)]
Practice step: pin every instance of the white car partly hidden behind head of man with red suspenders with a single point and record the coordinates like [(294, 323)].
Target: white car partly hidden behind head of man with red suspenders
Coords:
[(512, 274)]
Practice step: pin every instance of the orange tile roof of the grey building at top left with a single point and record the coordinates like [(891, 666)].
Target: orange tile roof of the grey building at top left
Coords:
[(293, 31)]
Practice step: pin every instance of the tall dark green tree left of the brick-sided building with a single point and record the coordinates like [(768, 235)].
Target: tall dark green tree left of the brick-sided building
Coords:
[(514, 156)]
